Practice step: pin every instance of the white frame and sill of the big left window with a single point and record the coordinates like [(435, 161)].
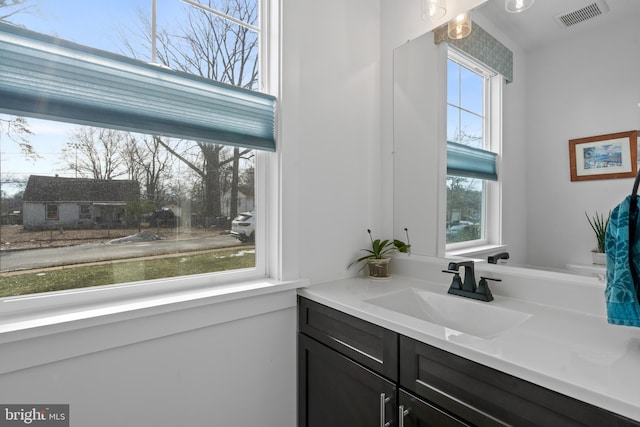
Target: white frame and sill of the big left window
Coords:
[(79, 304)]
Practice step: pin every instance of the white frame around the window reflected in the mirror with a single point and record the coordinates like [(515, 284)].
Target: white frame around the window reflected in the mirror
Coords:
[(492, 141)]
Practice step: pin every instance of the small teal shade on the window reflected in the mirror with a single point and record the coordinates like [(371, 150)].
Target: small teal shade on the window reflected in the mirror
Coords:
[(471, 162)]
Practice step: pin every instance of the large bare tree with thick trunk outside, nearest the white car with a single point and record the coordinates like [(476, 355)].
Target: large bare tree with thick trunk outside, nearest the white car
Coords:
[(215, 48)]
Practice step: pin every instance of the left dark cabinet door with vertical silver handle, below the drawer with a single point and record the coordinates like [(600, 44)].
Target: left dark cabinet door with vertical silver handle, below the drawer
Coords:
[(335, 391)]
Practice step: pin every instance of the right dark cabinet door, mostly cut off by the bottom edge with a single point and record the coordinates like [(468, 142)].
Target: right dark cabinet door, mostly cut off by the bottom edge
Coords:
[(419, 413)]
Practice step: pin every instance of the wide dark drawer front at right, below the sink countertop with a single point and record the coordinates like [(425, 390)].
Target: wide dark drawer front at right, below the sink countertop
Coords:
[(487, 397)]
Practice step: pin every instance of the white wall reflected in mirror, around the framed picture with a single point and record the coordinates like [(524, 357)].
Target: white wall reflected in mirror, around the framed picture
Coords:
[(582, 87)]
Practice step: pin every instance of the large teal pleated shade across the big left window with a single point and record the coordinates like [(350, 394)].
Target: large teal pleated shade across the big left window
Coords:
[(45, 77)]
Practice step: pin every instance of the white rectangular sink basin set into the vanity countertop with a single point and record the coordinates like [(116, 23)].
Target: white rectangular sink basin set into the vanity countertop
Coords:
[(480, 319)]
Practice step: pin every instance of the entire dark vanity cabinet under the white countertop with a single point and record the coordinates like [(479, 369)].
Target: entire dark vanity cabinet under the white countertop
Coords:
[(354, 373)]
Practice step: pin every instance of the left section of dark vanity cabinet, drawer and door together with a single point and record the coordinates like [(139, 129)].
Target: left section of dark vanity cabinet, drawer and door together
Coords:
[(347, 370)]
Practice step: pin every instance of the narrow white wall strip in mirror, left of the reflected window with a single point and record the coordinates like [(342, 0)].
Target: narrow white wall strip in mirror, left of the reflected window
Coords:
[(419, 157)]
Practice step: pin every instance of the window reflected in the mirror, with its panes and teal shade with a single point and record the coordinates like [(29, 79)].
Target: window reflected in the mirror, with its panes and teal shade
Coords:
[(470, 139)]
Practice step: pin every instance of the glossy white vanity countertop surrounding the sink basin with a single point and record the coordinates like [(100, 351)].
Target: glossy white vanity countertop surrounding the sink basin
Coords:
[(573, 352)]
